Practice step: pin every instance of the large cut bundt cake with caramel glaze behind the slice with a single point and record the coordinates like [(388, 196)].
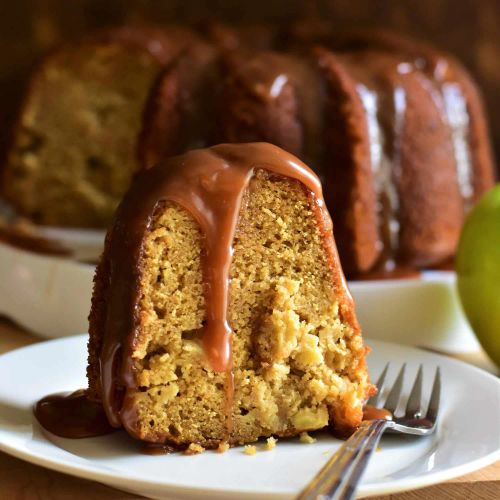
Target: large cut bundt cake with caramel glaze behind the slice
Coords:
[(394, 128)]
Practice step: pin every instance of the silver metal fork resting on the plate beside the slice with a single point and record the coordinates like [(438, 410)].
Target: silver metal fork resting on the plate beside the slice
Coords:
[(339, 478)]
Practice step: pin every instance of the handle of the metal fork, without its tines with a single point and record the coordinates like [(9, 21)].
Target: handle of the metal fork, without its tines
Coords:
[(338, 479)]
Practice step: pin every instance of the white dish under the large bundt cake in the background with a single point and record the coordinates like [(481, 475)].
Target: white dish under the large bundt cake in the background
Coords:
[(51, 297)]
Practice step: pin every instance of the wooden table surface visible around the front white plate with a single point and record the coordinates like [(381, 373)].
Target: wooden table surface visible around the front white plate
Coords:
[(22, 481)]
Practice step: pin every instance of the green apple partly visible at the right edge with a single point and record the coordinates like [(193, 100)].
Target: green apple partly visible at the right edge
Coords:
[(478, 271)]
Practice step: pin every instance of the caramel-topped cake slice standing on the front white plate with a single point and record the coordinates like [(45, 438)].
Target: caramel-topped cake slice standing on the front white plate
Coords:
[(220, 313)]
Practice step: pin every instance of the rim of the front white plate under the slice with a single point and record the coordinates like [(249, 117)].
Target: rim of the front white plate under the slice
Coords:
[(96, 473)]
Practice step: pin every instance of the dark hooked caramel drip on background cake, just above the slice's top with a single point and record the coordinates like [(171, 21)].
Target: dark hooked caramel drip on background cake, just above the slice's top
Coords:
[(267, 74)]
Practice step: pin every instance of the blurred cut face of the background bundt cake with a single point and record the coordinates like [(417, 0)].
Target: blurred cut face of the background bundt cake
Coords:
[(89, 152)]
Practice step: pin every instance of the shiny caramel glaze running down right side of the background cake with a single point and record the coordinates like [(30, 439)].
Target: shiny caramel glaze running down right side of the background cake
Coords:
[(379, 77)]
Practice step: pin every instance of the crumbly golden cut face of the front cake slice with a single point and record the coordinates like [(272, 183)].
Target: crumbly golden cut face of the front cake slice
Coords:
[(298, 357)]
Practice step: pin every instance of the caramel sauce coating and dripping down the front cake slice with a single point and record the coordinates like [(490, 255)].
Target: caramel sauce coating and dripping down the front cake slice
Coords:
[(209, 184)]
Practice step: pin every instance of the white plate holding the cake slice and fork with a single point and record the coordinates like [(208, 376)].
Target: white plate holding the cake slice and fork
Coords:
[(467, 439)]
